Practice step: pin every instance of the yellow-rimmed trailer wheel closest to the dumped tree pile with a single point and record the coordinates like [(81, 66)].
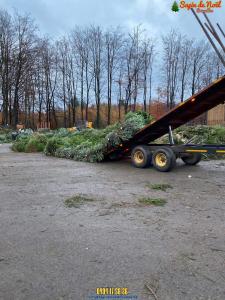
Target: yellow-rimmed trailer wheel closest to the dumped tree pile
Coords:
[(141, 157)]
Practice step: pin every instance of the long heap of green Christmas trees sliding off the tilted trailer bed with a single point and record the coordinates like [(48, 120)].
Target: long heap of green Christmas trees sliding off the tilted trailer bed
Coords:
[(89, 145)]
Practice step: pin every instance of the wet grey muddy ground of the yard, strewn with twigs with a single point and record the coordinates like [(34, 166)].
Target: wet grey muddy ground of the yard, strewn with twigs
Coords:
[(50, 251)]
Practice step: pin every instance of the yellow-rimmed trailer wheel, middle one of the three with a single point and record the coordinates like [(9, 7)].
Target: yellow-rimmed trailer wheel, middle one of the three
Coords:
[(164, 159)]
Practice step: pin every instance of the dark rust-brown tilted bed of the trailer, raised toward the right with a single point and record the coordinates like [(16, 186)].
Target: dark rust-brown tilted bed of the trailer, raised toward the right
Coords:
[(184, 112)]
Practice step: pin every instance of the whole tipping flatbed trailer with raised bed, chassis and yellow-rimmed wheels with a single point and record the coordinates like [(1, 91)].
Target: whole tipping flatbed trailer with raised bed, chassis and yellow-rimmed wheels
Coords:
[(163, 156)]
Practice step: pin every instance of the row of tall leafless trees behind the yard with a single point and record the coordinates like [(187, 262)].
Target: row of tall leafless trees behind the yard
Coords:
[(94, 66)]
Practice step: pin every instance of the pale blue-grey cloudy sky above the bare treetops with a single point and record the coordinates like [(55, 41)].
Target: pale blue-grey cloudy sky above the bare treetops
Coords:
[(56, 17)]
